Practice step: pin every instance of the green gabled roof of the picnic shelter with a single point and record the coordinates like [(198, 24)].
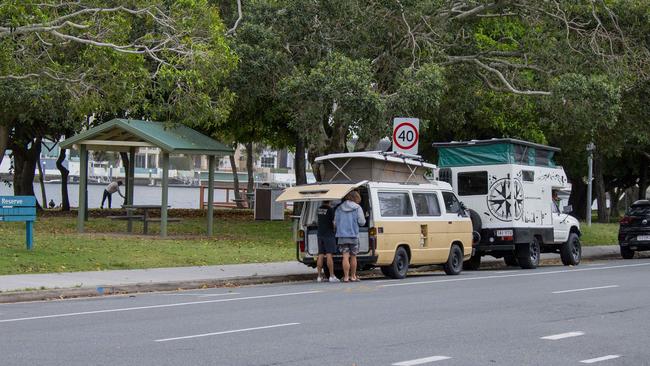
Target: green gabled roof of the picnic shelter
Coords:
[(123, 134)]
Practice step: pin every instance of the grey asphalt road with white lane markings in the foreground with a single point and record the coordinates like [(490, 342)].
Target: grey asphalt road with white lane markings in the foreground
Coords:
[(595, 313)]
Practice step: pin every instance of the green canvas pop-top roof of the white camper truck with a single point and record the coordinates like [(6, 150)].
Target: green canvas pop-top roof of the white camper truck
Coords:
[(493, 152)]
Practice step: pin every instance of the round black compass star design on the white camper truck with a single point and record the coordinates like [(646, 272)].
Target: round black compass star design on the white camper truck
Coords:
[(500, 199)]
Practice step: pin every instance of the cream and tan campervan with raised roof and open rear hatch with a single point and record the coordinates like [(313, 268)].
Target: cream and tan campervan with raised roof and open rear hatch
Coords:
[(410, 220)]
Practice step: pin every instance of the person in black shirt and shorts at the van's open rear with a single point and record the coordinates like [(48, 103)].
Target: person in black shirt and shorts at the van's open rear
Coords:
[(326, 240)]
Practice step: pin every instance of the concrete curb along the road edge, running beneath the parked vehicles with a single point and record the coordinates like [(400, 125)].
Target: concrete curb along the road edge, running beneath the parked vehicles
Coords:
[(66, 293)]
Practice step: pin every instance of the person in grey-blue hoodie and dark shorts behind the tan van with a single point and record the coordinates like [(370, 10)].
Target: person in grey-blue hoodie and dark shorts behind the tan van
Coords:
[(348, 217)]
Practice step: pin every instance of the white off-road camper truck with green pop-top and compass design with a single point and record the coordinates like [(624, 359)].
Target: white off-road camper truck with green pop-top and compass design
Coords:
[(508, 186)]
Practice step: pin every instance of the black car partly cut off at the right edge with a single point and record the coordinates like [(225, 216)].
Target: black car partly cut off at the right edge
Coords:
[(634, 232)]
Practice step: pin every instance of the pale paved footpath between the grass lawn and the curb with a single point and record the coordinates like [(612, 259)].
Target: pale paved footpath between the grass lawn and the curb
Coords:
[(159, 279)]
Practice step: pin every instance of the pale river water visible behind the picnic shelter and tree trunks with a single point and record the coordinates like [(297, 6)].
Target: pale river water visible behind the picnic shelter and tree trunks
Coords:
[(179, 197)]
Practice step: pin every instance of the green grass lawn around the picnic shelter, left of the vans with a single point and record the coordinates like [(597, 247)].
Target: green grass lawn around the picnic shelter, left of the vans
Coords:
[(58, 248)]
